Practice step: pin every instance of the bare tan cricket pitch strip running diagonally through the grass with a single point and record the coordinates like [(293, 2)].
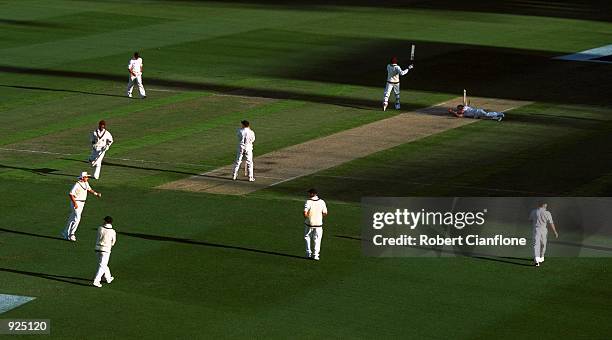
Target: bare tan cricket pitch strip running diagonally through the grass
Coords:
[(326, 152)]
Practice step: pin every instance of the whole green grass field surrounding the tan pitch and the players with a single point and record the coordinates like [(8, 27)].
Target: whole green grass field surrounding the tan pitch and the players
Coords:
[(193, 265)]
